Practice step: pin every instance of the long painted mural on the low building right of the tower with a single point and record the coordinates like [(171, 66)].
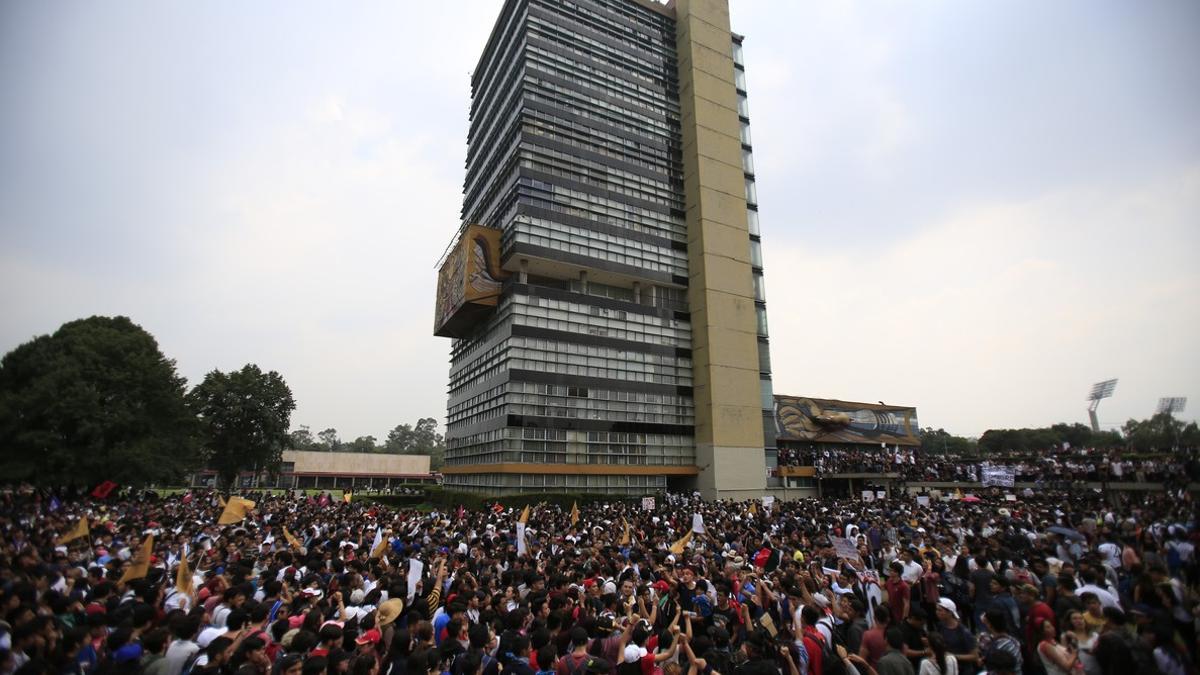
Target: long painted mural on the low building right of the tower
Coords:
[(826, 421)]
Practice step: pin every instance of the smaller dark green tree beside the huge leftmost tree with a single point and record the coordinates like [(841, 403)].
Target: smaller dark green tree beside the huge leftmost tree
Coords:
[(244, 416)]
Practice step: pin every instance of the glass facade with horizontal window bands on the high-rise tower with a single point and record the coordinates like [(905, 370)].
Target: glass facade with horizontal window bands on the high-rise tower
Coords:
[(574, 154)]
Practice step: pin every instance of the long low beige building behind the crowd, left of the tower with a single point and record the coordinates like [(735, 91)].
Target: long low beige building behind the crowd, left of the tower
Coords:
[(337, 471)]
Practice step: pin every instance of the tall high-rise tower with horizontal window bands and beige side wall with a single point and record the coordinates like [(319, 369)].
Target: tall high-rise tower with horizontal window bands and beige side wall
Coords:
[(605, 290)]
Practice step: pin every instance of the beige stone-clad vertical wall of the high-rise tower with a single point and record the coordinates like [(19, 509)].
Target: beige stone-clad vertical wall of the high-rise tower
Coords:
[(721, 288)]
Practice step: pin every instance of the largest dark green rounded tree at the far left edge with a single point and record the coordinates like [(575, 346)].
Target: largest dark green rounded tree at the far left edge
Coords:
[(95, 401)]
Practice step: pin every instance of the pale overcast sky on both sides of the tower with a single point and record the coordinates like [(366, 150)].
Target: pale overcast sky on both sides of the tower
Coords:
[(975, 208)]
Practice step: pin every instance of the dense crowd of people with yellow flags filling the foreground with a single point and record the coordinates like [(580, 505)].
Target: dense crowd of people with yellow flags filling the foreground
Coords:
[(1057, 584)]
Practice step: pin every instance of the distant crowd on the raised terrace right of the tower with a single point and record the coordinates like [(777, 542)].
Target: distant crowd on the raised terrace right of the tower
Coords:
[(1055, 464)]
